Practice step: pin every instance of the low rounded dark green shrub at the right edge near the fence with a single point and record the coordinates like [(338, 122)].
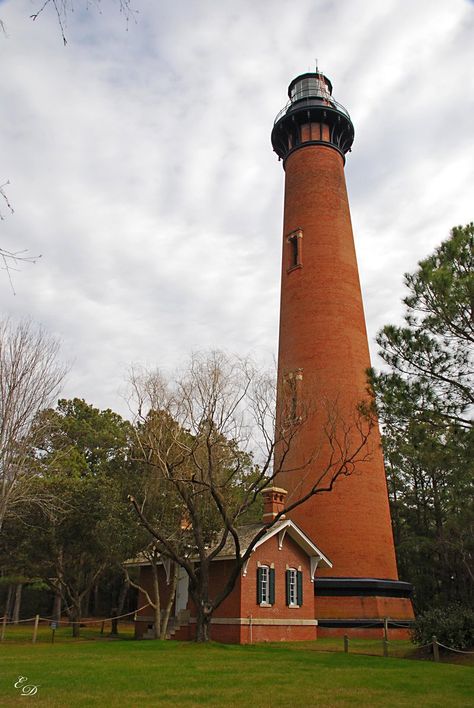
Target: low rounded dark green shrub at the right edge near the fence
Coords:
[(452, 625)]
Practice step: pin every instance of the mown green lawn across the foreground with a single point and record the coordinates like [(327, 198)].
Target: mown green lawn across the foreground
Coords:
[(128, 673)]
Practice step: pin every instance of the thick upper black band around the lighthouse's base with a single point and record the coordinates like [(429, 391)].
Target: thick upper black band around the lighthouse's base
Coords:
[(361, 587)]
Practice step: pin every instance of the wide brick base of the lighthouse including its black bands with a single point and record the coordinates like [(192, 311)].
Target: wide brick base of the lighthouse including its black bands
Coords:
[(363, 607)]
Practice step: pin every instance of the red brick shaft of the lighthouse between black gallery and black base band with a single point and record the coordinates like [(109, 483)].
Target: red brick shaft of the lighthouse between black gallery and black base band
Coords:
[(322, 332)]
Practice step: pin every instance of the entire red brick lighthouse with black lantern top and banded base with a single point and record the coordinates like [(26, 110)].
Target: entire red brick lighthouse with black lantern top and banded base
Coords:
[(323, 354)]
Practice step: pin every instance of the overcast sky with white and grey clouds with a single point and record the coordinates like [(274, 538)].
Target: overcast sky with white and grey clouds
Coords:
[(140, 165)]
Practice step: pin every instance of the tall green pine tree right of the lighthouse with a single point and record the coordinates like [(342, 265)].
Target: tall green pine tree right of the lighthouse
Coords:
[(425, 404)]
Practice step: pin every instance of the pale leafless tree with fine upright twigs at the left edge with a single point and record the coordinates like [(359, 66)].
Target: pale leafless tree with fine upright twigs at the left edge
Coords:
[(30, 377)]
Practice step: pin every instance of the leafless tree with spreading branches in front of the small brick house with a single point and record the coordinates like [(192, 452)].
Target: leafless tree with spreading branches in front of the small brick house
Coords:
[(216, 444)]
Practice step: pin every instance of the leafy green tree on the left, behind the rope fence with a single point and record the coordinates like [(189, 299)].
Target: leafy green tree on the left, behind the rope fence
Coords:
[(82, 461)]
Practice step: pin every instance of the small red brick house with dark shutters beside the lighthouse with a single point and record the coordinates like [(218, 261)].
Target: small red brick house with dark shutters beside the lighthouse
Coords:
[(273, 598)]
